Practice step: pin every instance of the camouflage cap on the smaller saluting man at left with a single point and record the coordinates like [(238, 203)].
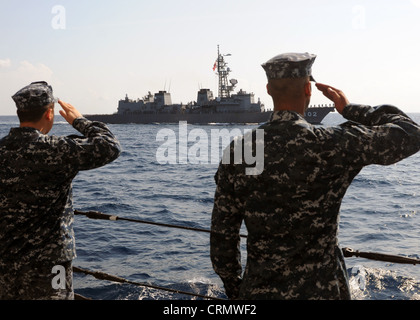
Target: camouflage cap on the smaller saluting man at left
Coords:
[(36, 95)]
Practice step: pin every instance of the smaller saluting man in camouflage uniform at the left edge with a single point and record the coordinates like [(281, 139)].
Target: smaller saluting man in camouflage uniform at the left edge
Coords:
[(36, 212)]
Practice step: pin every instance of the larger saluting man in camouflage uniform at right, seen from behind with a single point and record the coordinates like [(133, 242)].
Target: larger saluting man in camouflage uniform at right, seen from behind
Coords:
[(291, 209)]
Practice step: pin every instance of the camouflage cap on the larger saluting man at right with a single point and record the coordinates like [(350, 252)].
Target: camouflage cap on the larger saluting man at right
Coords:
[(290, 65)]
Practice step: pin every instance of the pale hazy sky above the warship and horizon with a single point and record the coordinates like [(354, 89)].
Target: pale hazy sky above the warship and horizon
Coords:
[(94, 52)]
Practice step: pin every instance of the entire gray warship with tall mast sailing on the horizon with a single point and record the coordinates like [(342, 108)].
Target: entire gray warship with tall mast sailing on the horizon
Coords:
[(227, 107)]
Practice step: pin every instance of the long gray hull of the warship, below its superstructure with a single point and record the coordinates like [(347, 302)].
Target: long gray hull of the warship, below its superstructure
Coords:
[(313, 115)]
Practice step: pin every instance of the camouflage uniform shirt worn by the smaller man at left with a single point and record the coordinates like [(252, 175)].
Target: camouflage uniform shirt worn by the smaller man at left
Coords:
[(36, 210)]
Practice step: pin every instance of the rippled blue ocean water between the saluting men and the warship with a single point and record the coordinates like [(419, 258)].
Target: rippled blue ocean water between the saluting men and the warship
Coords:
[(380, 213)]
